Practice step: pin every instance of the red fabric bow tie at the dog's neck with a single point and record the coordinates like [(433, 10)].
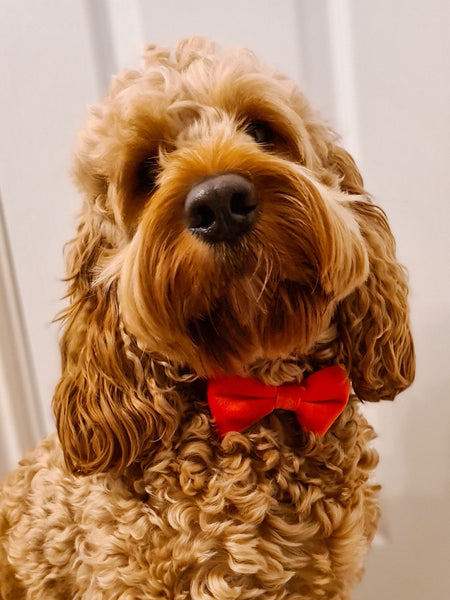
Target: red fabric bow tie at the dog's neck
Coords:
[(238, 402)]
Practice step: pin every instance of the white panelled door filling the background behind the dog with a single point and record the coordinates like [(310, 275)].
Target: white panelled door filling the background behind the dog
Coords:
[(379, 72)]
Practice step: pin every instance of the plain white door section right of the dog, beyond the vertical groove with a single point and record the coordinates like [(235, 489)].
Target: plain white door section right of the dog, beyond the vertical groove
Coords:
[(403, 99)]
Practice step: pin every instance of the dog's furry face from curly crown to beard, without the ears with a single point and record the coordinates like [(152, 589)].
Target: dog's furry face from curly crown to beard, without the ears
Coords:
[(229, 247)]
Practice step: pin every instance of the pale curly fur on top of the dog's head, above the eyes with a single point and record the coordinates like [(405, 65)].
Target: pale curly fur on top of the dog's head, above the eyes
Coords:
[(176, 100)]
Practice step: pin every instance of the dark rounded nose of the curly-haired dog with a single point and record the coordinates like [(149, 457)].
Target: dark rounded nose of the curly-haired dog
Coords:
[(221, 208)]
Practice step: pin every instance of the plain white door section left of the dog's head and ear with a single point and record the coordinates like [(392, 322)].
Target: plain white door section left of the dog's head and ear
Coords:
[(47, 76)]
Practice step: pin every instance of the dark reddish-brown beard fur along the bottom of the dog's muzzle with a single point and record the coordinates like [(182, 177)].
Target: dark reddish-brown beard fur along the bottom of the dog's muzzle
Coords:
[(236, 329)]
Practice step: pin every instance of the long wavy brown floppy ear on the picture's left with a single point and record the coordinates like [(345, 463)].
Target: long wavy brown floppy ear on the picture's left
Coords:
[(108, 413)]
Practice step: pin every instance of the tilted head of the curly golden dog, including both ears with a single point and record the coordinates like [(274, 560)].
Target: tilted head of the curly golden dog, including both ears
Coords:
[(222, 226)]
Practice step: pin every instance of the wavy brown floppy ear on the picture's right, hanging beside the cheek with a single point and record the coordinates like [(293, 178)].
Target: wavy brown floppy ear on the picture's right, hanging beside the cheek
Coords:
[(373, 320)]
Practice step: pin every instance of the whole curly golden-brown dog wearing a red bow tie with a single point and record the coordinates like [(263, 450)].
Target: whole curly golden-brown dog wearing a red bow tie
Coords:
[(226, 247)]
